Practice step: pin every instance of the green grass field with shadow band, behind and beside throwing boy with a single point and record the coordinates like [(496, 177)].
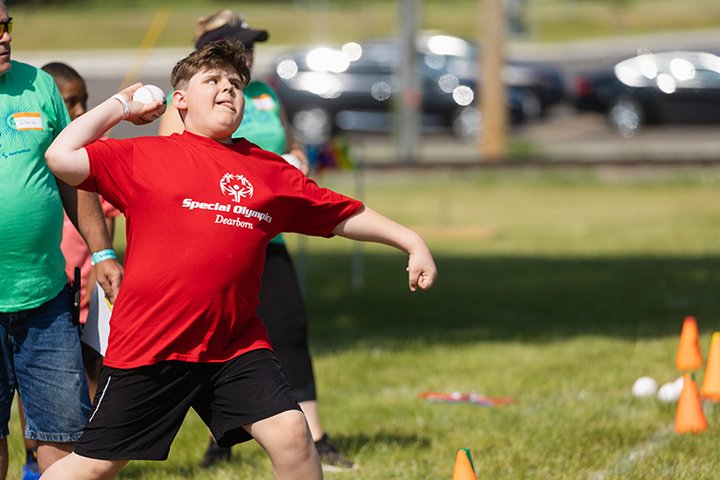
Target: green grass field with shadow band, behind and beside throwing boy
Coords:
[(556, 288)]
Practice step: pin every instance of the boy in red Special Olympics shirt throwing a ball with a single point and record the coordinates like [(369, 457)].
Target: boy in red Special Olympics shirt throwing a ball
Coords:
[(200, 210)]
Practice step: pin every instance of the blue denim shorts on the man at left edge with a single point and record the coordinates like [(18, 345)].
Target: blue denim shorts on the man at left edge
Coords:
[(41, 358)]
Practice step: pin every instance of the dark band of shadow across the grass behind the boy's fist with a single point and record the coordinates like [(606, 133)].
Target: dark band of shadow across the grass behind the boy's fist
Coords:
[(531, 299)]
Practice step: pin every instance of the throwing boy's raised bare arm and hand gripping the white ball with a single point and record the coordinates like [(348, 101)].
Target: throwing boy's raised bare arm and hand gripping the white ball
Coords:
[(66, 156)]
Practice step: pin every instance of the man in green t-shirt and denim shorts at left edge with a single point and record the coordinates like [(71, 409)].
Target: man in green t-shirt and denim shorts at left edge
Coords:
[(39, 344)]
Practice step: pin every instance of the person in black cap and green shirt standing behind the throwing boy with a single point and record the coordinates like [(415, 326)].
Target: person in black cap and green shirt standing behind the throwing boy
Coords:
[(282, 309)]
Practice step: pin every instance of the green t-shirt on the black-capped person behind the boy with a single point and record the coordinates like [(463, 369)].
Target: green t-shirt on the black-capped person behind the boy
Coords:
[(261, 123)]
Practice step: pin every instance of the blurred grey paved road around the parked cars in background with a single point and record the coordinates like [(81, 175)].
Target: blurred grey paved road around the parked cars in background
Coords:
[(563, 135)]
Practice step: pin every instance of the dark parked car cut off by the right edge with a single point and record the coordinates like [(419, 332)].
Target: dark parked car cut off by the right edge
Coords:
[(668, 87)]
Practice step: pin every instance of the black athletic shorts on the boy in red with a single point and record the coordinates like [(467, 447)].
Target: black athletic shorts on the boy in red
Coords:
[(137, 412)]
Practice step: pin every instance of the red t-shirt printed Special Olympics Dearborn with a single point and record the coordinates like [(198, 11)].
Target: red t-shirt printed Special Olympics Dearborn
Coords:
[(199, 216)]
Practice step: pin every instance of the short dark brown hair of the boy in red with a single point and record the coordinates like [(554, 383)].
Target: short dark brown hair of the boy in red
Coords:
[(215, 55)]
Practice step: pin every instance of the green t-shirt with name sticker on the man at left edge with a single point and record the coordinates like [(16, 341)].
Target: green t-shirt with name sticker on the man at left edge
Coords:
[(32, 113)]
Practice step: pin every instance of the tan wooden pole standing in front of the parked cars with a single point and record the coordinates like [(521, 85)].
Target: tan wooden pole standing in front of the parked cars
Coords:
[(493, 97)]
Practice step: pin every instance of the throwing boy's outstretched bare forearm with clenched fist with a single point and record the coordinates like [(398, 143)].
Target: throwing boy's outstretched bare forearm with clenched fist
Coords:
[(370, 226)]
